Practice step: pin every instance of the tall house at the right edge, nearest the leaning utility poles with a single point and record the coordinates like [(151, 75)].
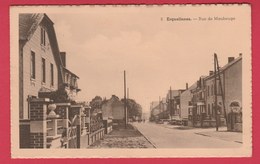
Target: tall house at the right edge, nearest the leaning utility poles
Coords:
[(231, 86)]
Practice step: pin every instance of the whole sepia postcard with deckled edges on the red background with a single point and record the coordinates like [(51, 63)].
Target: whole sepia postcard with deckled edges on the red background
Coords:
[(131, 81)]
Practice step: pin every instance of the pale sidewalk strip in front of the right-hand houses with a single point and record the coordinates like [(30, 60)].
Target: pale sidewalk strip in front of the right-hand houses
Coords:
[(222, 133)]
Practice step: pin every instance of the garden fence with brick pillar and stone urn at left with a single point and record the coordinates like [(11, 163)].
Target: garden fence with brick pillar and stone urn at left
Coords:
[(59, 126)]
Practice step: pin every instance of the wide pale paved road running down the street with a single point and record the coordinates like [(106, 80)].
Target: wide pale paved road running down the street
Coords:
[(163, 137)]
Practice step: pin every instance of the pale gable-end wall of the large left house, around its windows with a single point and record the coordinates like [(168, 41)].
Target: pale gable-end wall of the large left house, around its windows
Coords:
[(32, 87)]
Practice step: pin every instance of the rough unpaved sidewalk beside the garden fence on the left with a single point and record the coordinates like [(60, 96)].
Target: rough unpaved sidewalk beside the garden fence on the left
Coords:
[(123, 138)]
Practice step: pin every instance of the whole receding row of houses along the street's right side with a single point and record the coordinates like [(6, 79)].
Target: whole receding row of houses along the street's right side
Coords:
[(195, 105)]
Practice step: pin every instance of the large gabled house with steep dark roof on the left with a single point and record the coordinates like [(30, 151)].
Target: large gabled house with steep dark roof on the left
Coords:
[(42, 67)]
